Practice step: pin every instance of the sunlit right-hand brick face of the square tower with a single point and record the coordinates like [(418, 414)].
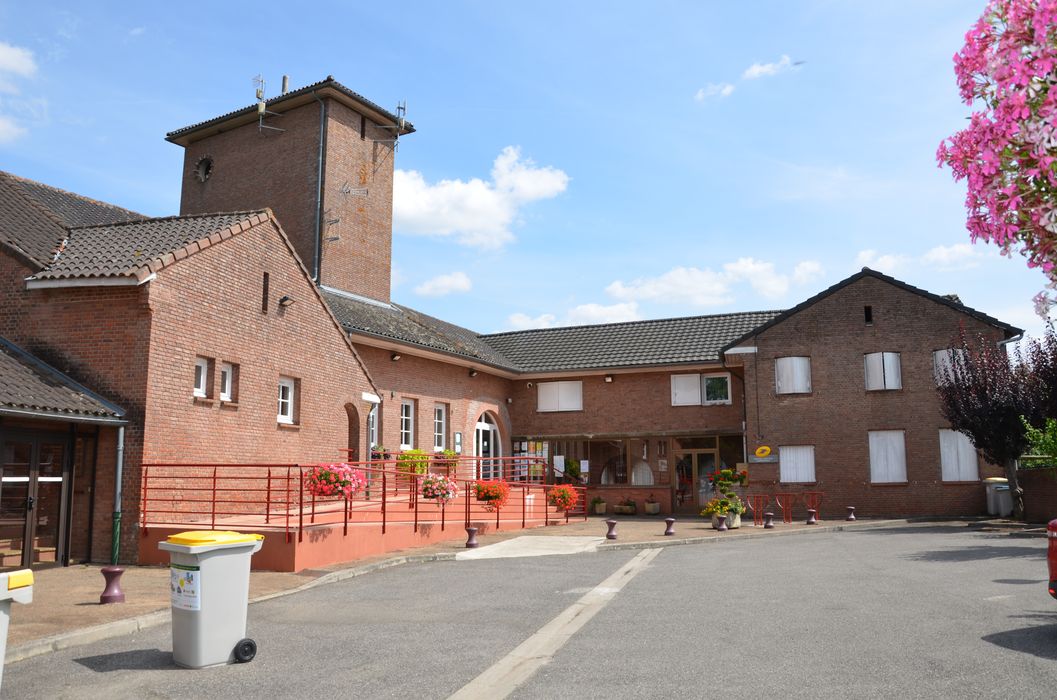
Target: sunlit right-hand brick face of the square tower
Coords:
[(358, 238)]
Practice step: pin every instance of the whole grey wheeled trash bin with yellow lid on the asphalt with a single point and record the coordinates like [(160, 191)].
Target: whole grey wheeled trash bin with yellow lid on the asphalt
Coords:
[(210, 585)]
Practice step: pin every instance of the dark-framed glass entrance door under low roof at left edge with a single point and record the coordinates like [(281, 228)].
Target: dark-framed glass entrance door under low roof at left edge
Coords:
[(33, 481)]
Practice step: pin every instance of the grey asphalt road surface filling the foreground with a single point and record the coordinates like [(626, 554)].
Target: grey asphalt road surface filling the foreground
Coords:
[(916, 612)]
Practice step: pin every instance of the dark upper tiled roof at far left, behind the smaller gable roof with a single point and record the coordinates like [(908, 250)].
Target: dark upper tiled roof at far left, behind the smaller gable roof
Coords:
[(33, 216)]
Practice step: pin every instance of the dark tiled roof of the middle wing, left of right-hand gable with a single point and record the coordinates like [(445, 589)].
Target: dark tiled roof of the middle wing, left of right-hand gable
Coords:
[(636, 344)]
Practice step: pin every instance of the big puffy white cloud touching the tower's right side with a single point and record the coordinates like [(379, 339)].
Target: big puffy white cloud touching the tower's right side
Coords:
[(474, 213)]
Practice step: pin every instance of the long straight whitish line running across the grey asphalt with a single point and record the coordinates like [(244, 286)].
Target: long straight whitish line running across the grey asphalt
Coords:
[(520, 666)]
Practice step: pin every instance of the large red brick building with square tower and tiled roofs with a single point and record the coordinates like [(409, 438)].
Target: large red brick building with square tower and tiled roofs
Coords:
[(257, 327)]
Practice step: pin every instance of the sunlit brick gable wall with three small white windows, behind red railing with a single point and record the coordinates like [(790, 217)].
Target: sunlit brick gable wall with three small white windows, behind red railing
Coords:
[(210, 305)]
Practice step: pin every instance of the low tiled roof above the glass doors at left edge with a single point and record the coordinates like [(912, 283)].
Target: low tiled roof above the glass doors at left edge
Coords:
[(29, 386)]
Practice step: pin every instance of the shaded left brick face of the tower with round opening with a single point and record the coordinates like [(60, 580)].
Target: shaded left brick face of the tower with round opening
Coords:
[(254, 170)]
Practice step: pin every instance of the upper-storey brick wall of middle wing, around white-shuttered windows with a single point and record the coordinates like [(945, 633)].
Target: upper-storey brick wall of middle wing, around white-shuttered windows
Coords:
[(633, 403)]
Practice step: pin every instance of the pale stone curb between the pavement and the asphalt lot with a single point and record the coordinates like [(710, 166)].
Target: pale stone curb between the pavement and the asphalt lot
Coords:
[(140, 623)]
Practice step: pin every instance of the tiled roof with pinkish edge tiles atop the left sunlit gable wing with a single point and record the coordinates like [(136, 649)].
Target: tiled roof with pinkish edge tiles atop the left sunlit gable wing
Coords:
[(141, 248)]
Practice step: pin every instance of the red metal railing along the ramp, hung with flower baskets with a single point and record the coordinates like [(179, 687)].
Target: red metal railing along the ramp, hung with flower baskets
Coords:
[(274, 496)]
